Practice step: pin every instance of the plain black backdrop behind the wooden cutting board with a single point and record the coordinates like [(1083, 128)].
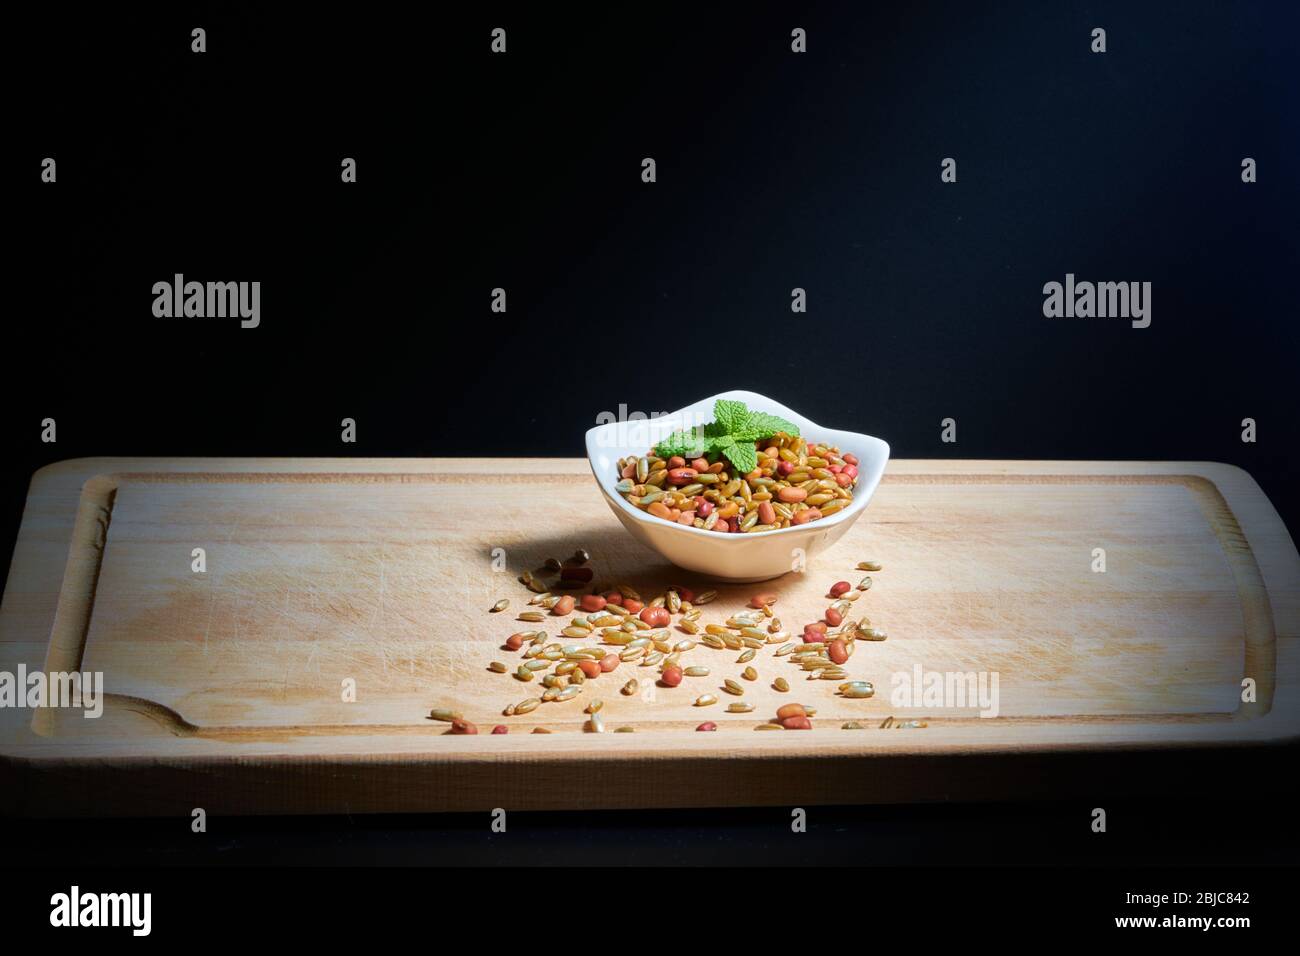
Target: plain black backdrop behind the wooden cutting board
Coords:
[(774, 171)]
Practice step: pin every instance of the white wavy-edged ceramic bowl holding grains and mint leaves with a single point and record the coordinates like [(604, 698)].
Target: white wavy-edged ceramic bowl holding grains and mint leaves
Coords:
[(755, 557)]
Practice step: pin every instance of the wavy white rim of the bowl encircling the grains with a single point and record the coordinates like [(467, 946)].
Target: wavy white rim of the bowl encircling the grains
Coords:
[(872, 445)]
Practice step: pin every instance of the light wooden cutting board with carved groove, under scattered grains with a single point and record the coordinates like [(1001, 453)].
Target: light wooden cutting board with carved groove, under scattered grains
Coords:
[(226, 687)]
